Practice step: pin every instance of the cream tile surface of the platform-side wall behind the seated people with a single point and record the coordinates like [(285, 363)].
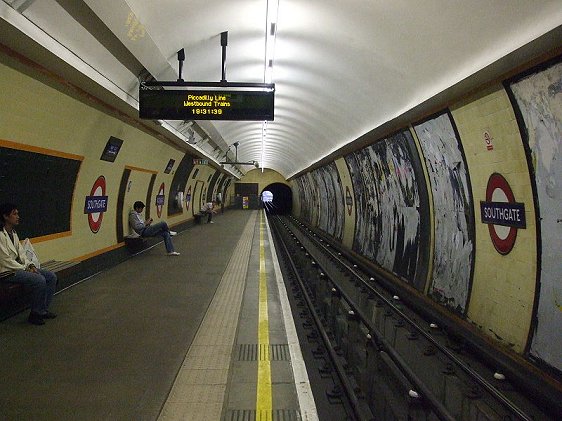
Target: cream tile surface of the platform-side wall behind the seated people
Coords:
[(48, 118)]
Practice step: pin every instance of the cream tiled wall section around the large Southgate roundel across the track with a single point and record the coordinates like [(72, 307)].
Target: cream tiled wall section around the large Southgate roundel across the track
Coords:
[(503, 289)]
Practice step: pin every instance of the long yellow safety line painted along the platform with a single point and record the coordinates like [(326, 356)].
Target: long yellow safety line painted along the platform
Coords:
[(263, 399)]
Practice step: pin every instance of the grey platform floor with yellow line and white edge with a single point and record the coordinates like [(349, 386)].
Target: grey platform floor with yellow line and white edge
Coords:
[(203, 336)]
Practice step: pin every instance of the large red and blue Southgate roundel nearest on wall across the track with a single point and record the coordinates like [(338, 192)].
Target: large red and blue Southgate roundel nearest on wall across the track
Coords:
[(502, 213)]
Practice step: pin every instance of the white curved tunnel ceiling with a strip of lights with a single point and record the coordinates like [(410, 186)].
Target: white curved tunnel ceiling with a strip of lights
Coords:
[(341, 67)]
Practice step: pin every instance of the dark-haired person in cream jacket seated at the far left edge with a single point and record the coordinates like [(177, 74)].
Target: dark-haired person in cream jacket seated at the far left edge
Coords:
[(13, 259)]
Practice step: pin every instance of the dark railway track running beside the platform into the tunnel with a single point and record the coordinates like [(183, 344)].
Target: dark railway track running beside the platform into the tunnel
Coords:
[(391, 362)]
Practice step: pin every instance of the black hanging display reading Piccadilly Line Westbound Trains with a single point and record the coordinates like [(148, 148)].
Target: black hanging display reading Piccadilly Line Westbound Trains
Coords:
[(201, 104)]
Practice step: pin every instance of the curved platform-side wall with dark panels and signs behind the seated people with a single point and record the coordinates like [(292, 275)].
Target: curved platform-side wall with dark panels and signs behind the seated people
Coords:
[(75, 167)]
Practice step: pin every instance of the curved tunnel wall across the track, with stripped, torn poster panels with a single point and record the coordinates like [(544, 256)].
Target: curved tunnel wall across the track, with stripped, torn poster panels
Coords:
[(417, 204)]
